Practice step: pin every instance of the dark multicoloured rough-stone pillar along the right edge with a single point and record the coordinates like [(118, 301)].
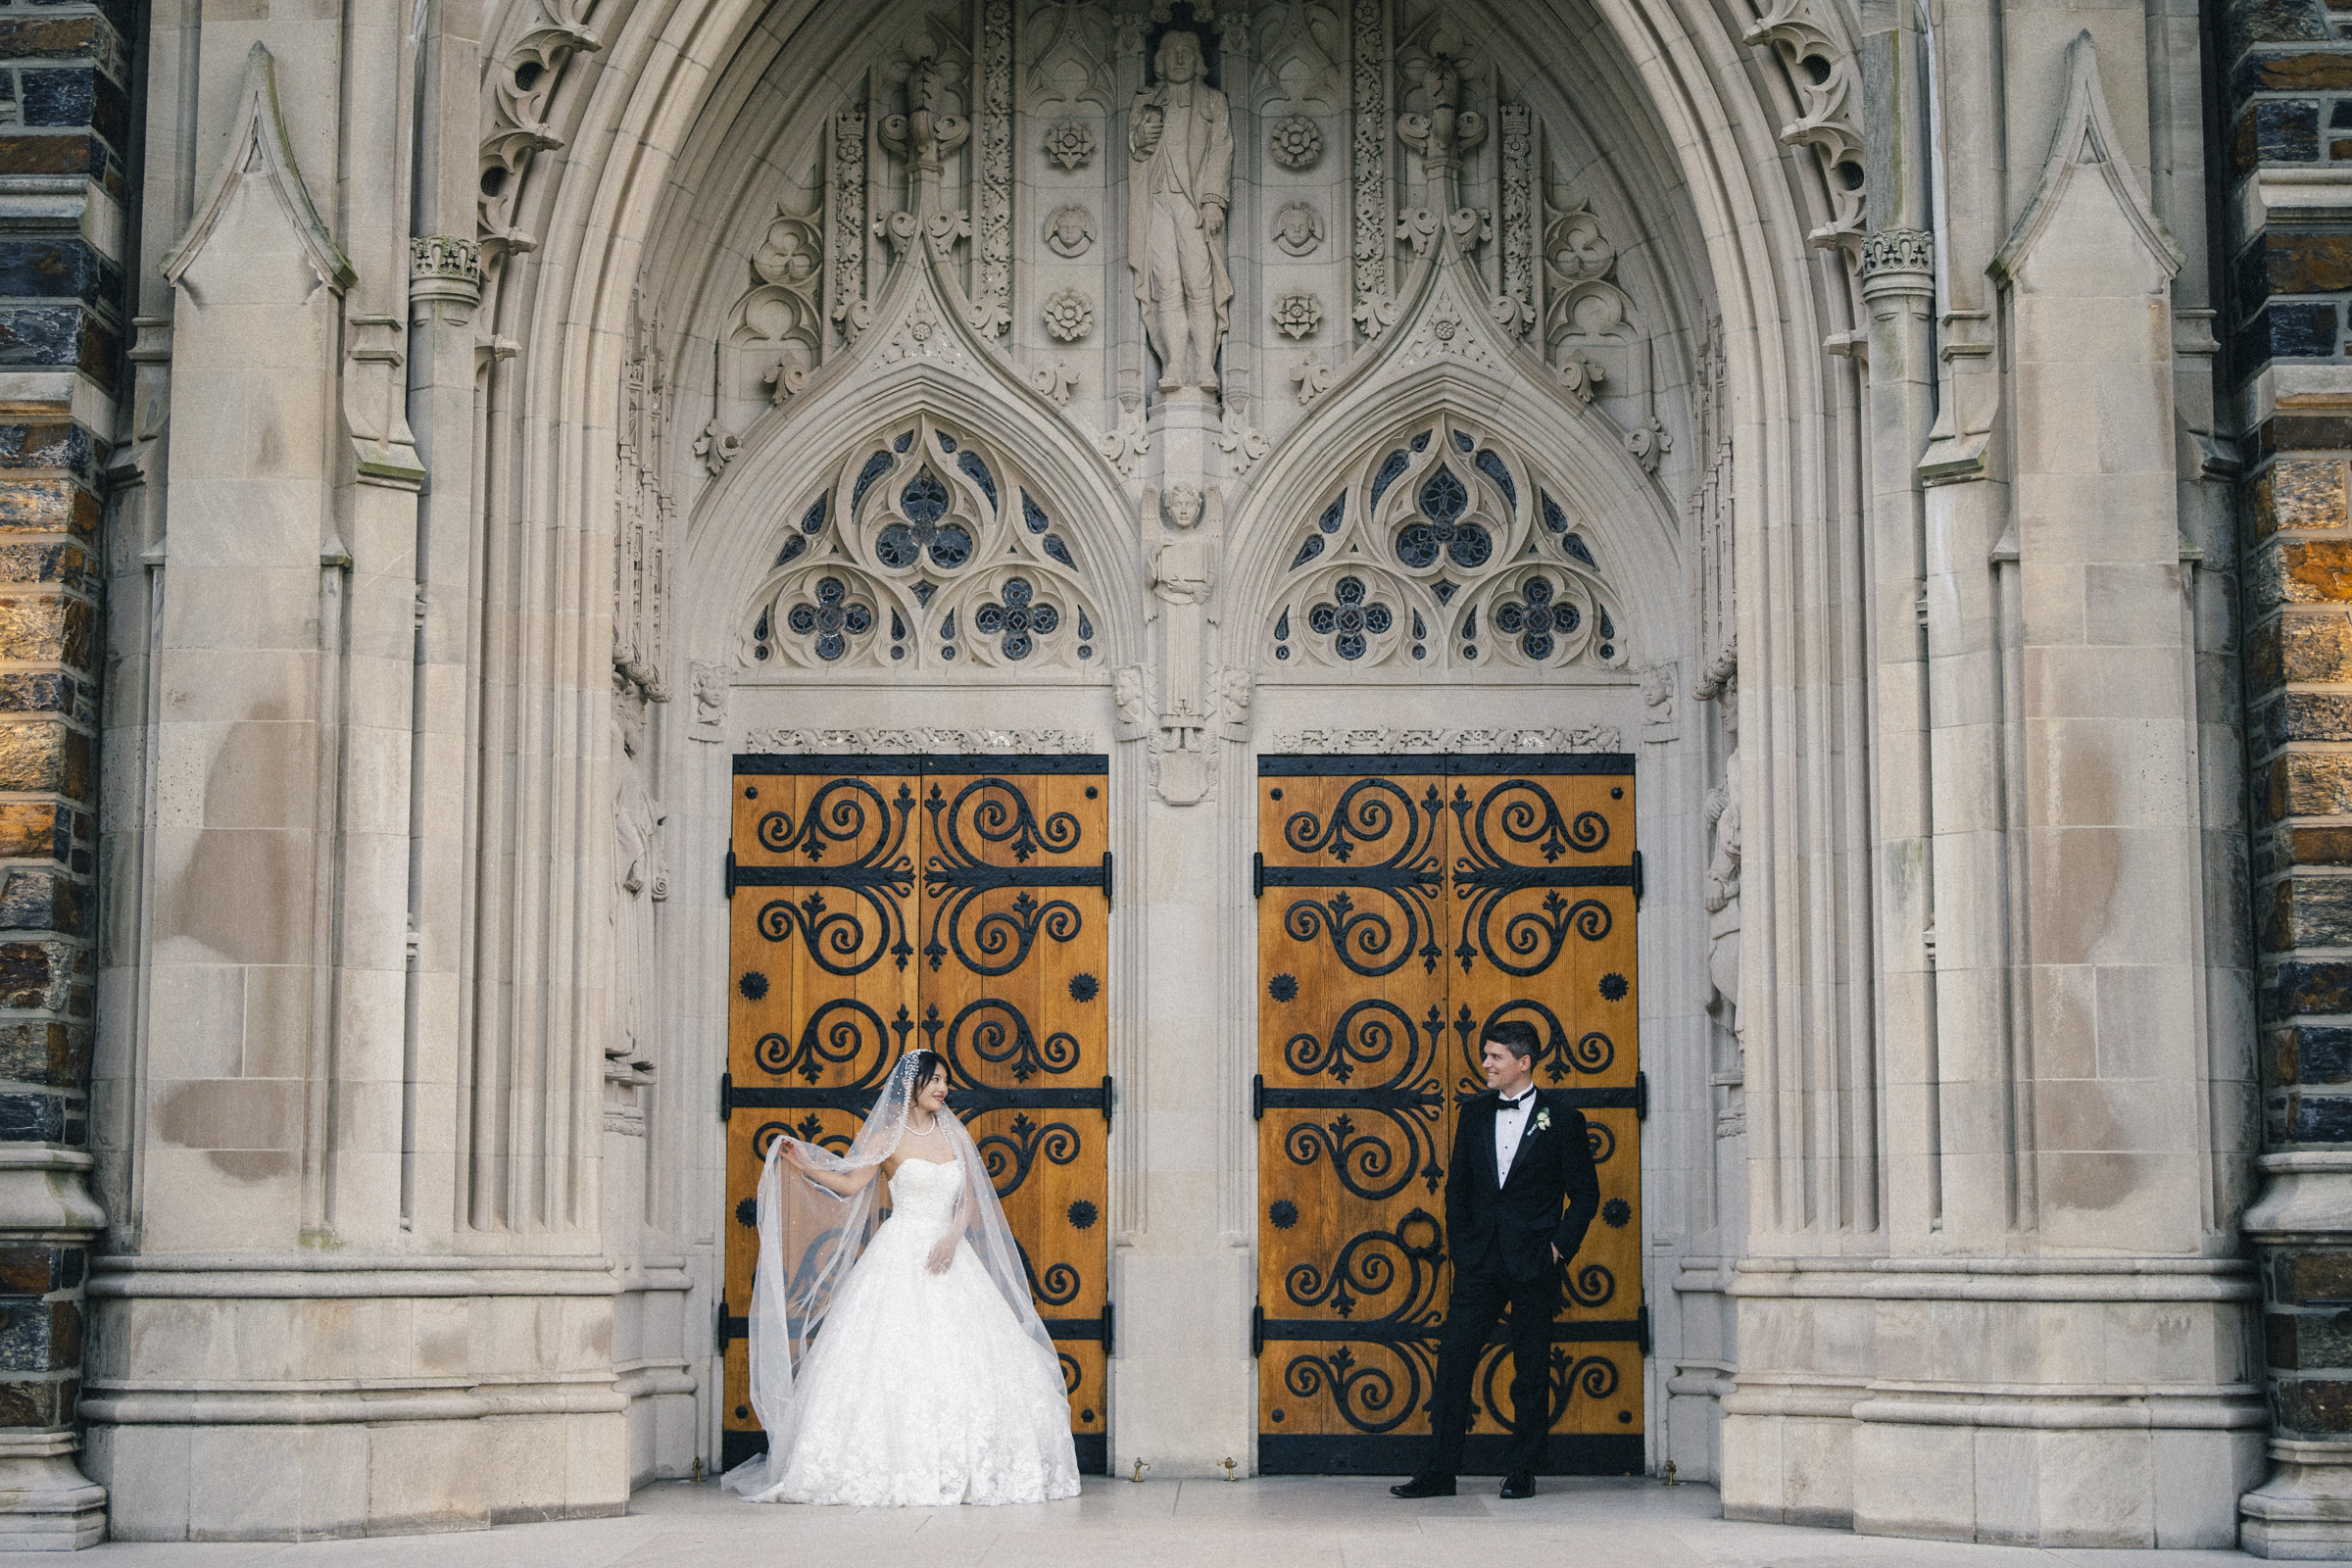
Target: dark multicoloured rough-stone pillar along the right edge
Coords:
[(2292, 269)]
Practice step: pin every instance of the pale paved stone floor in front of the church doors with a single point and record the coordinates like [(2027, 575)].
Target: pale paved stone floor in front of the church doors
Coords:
[(1165, 1525)]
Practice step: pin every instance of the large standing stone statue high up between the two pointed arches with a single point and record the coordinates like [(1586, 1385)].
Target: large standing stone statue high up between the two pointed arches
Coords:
[(1180, 140)]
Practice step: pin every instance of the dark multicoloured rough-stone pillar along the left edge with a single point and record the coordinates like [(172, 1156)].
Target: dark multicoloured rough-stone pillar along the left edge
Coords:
[(62, 307)]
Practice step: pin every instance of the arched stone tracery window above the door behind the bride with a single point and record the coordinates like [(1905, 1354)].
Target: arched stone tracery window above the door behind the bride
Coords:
[(926, 551)]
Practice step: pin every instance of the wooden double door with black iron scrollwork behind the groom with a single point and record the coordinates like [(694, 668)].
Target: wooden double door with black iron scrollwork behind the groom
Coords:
[(1408, 904)]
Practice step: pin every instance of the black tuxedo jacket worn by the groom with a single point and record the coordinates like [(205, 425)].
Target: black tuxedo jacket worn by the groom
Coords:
[(1518, 1224)]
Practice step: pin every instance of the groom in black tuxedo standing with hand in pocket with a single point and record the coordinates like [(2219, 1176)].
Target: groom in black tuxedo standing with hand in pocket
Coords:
[(1518, 1155)]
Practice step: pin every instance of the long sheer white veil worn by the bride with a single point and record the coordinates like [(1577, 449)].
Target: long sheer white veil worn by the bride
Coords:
[(810, 1238)]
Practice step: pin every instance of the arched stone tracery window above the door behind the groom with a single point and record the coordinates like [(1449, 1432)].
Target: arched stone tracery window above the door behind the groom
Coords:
[(1450, 551)]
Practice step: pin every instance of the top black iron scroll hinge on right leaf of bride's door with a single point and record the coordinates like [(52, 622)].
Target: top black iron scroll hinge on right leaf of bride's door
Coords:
[(1001, 819)]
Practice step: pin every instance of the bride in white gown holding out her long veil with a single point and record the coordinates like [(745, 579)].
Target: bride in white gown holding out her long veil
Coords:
[(933, 1381)]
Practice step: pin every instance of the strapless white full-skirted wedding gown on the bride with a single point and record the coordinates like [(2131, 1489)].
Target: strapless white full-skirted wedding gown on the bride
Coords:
[(921, 1388)]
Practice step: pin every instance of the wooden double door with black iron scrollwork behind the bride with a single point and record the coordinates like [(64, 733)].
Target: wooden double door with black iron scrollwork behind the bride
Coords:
[(954, 904)]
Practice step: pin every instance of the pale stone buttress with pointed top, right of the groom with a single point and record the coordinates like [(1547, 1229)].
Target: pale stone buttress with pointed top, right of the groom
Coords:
[(2062, 1329)]
